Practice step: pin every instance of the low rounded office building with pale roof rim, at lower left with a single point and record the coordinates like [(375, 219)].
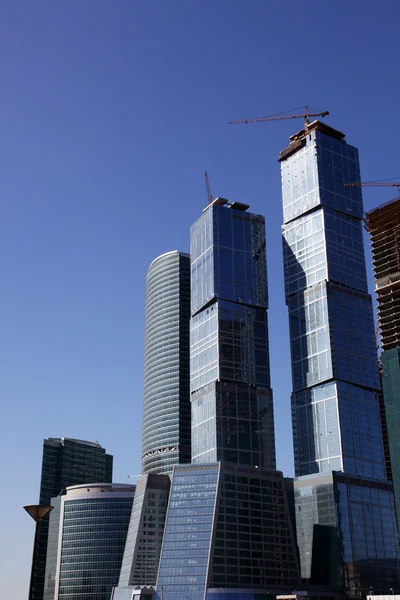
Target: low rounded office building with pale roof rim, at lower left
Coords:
[(93, 524)]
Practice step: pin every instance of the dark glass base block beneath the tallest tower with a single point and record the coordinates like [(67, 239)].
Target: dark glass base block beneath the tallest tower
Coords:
[(348, 529)]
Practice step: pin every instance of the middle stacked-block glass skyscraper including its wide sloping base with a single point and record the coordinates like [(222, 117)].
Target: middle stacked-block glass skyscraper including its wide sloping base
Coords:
[(228, 523)]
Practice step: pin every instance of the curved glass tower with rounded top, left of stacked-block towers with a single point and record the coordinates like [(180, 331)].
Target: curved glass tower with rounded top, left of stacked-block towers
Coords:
[(166, 403)]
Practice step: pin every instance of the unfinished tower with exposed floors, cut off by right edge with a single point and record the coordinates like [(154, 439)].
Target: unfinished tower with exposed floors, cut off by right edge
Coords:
[(384, 228)]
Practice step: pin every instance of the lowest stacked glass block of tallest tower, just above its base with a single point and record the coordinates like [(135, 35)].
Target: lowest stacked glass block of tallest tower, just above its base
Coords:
[(322, 443)]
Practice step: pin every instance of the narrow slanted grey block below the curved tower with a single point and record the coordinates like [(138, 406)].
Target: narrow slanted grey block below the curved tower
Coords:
[(146, 529)]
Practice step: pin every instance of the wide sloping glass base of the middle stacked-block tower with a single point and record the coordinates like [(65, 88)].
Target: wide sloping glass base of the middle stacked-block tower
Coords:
[(228, 526)]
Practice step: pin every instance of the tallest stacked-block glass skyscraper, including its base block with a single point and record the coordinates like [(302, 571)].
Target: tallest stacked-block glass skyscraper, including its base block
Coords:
[(346, 526)]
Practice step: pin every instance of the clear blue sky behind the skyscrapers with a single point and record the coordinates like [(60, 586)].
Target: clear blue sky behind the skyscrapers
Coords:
[(110, 113)]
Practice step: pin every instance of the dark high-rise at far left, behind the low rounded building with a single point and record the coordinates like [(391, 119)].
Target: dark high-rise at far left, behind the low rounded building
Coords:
[(66, 462)]
